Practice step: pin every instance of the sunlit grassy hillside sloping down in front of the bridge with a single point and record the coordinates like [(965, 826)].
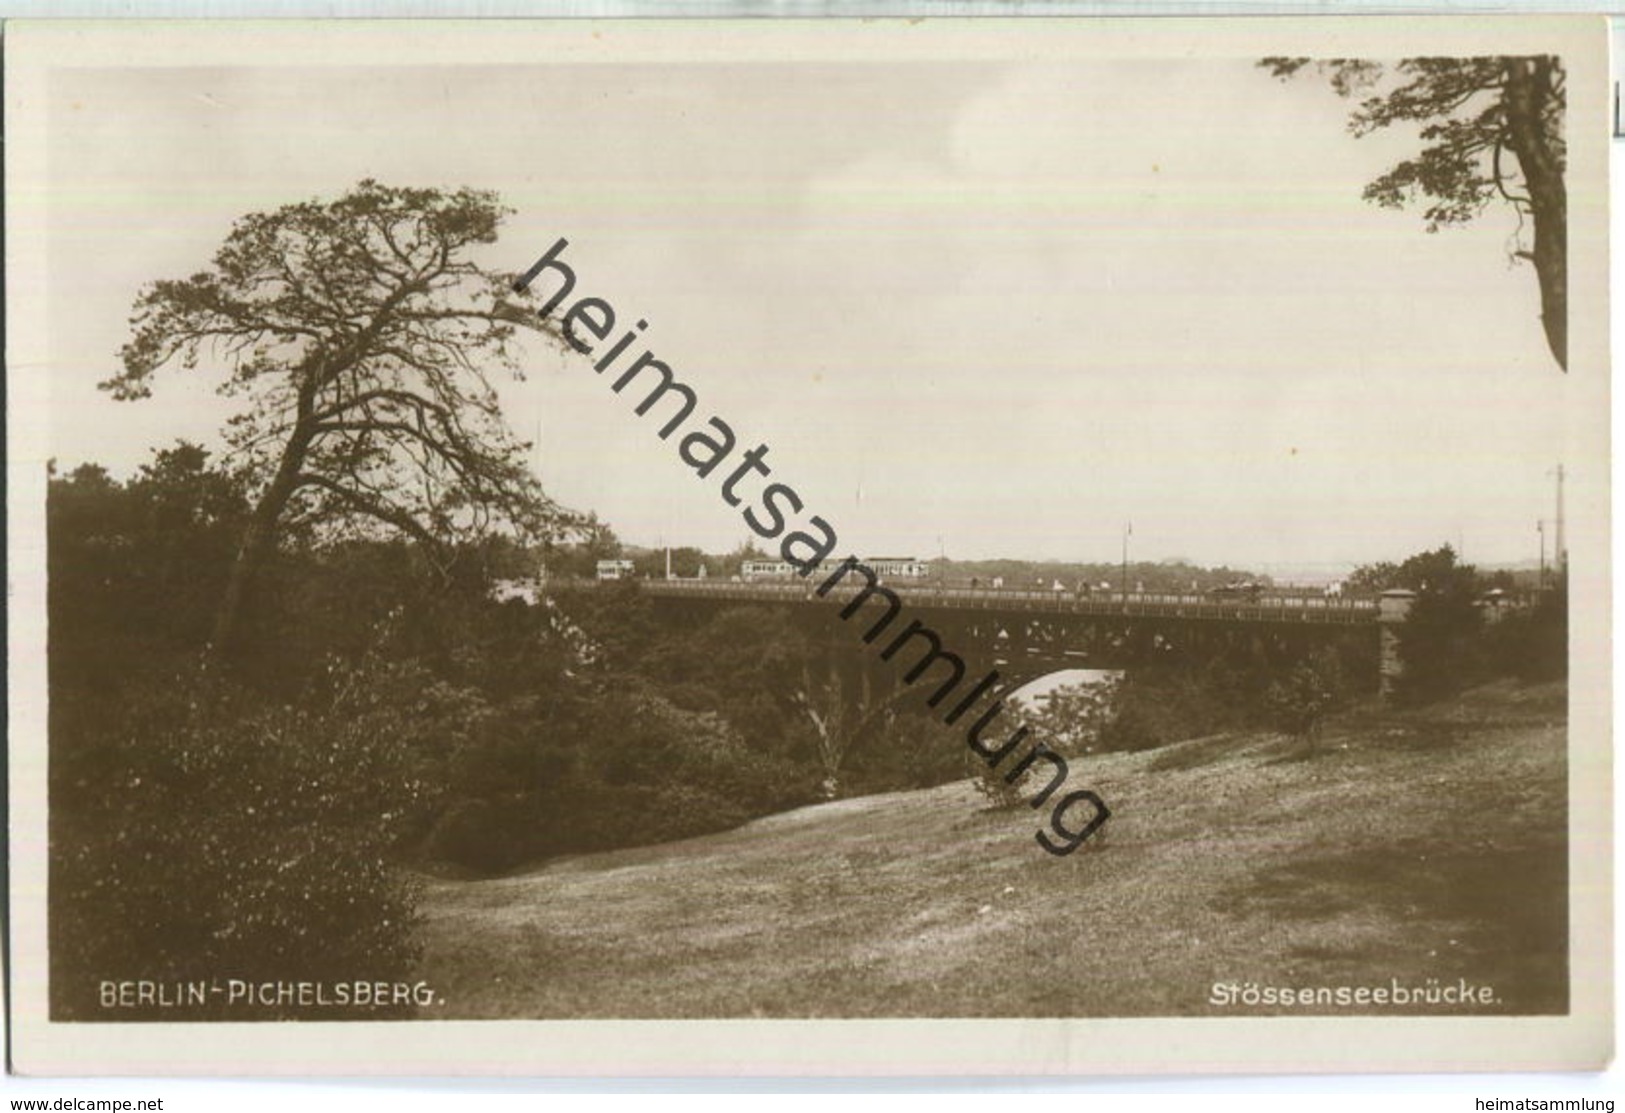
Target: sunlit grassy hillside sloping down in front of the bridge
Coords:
[(1413, 846)]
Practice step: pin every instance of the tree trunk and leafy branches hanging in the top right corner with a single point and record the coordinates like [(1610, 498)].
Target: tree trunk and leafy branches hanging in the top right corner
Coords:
[(1493, 129)]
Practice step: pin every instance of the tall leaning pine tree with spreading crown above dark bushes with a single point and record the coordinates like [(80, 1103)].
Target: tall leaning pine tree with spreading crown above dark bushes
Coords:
[(360, 339)]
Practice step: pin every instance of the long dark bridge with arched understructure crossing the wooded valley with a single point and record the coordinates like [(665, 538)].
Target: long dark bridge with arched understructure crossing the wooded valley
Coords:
[(1031, 633)]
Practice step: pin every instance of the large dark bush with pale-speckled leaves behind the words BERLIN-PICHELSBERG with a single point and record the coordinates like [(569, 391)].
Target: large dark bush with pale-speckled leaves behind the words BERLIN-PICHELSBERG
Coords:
[(214, 836)]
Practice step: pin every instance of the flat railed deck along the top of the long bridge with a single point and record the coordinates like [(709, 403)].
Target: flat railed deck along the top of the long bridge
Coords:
[(1268, 608)]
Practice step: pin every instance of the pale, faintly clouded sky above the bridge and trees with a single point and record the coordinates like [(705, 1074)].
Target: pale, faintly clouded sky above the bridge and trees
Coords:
[(976, 308)]
